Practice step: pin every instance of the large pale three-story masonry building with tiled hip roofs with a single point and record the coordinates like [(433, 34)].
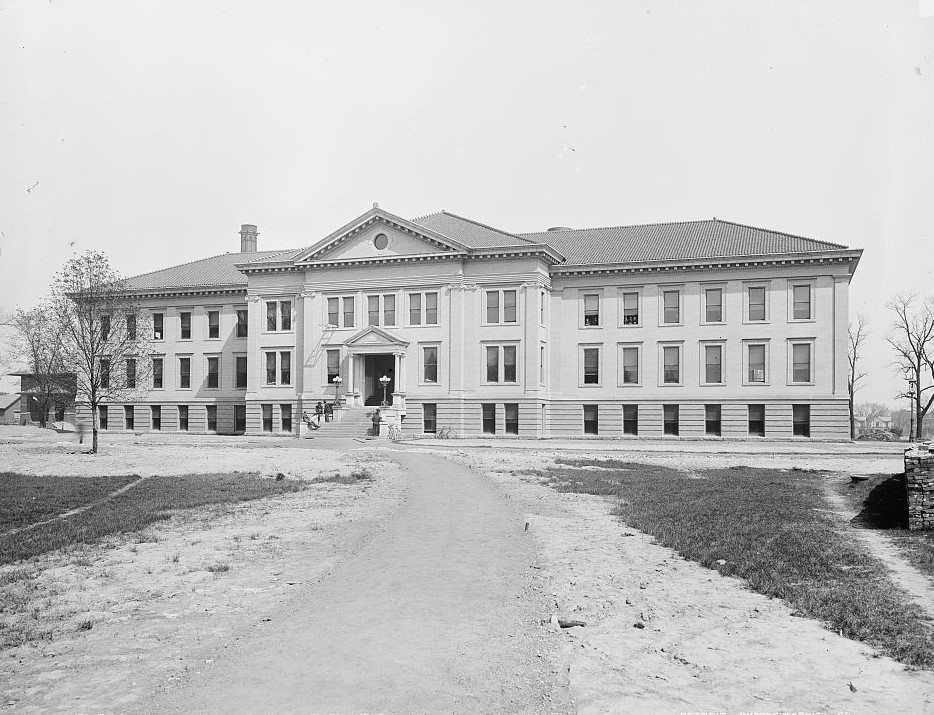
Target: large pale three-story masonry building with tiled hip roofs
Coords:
[(694, 329)]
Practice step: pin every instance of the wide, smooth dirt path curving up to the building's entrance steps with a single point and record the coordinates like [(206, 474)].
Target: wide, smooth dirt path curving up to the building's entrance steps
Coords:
[(438, 613)]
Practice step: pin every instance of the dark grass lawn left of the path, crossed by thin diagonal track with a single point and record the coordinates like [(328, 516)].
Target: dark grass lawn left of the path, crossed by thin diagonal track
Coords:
[(27, 500)]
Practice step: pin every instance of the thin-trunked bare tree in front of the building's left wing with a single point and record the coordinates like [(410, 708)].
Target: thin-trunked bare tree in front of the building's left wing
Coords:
[(103, 333)]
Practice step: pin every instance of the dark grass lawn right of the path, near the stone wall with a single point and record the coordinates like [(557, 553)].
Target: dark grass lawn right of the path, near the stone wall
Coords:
[(768, 528)]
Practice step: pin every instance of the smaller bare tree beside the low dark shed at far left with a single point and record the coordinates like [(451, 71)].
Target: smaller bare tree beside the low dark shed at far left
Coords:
[(37, 342)]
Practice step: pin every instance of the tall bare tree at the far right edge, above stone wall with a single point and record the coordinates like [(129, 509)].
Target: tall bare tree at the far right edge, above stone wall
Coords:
[(912, 337)]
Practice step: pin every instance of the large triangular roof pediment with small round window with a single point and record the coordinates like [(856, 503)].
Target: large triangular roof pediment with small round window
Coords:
[(379, 234)]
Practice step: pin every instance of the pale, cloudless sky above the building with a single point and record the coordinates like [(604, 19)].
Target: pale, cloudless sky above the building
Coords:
[(152, 130)]
